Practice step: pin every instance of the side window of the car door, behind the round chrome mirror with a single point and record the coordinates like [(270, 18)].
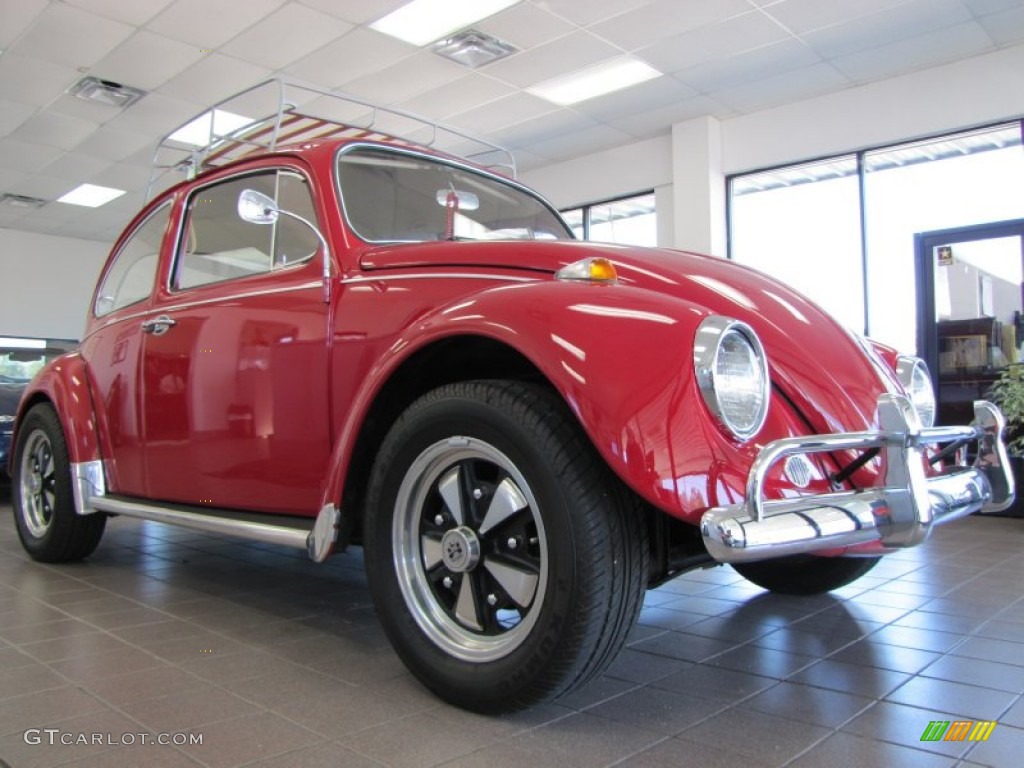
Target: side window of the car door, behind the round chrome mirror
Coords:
[(219, 245)]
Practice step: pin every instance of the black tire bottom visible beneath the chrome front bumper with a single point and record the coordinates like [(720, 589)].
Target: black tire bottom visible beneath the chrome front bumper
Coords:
[(806, 575)]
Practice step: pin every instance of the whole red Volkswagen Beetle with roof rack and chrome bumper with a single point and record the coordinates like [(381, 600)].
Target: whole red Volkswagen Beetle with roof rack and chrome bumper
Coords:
[(330, 336)]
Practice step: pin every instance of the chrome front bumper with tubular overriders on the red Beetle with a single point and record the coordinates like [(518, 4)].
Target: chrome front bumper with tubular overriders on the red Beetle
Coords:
[(900, 514)]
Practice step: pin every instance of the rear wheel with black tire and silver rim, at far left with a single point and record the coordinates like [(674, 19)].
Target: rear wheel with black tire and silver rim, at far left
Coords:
[(45, 503)]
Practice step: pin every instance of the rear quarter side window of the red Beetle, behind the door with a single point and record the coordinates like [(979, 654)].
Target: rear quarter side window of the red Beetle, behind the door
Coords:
[(132, 276)]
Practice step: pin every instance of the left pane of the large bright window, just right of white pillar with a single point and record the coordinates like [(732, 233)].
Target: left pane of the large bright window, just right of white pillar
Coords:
[(801, 225)]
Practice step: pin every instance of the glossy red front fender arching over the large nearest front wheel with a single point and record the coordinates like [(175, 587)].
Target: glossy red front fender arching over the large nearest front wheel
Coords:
[(622, 359)]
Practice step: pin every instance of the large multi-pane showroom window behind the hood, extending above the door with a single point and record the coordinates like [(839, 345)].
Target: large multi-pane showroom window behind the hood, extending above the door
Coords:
[(803, 224)]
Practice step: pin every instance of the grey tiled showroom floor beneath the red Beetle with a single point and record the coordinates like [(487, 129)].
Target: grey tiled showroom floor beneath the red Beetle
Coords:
[(279, 662)]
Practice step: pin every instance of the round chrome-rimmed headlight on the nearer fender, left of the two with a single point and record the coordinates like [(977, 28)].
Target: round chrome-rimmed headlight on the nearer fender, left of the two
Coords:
[(733, 374)]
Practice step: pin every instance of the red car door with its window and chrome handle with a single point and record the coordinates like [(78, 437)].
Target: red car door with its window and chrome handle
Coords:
[(235, 372)]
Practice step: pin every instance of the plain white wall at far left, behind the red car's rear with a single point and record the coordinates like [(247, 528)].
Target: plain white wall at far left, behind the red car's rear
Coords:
[(47, 284)]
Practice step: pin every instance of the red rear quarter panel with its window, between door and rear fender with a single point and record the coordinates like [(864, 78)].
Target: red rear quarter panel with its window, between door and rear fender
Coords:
[(113, 347)]
